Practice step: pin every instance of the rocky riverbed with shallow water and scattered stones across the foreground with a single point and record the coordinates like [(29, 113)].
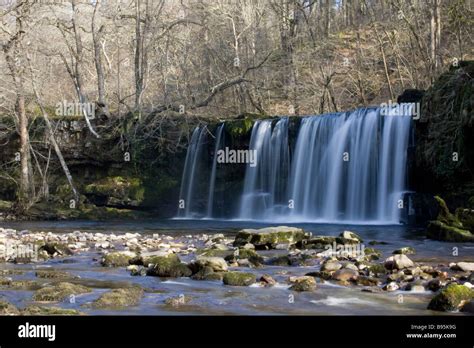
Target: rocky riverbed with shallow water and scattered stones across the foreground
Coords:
[(274, 270)]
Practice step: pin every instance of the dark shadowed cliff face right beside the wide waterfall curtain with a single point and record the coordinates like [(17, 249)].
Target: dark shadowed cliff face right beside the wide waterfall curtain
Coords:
[(444, 155)]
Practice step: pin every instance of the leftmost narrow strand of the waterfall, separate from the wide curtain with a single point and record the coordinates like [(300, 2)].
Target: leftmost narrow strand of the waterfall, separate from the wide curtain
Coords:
[(192, 174)]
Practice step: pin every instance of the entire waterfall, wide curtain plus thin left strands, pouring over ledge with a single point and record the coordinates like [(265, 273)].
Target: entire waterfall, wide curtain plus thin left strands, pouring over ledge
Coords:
[(345, 167)]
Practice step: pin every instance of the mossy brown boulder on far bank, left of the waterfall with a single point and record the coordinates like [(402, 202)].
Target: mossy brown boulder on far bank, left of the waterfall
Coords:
[(116, 191)]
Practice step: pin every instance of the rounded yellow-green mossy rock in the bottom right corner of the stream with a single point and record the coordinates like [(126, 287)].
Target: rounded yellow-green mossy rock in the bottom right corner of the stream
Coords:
[(451, 298)]
